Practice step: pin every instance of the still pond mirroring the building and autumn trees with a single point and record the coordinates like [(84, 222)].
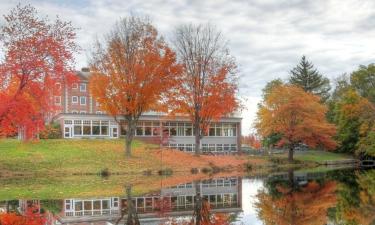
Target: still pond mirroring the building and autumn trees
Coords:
[(320, 196)]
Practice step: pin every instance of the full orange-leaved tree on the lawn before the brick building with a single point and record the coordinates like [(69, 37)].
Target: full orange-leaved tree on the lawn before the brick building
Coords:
[(132, 68)]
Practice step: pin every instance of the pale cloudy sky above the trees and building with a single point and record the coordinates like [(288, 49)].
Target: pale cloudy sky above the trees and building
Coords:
[(267, 37)]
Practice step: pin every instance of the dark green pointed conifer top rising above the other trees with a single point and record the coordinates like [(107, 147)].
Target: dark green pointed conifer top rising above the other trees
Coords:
[(309, 78)]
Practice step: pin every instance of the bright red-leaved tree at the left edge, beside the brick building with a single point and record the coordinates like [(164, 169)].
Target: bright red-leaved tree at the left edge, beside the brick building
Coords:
[(38, 54)]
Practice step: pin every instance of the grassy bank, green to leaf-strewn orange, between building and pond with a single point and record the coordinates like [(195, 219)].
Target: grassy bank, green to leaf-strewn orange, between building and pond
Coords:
[(62, 156)]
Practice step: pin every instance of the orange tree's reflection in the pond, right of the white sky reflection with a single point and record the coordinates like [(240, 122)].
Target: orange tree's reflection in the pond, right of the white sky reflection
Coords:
[(290, 204)]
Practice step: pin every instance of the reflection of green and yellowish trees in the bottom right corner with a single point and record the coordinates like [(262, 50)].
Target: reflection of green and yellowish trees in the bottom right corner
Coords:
[(356, 199)]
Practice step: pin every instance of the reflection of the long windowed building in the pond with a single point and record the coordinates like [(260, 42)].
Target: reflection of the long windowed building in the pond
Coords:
[(224, 195)]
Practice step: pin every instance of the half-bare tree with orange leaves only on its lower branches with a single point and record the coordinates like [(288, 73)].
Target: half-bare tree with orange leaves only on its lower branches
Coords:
[(207, 85)]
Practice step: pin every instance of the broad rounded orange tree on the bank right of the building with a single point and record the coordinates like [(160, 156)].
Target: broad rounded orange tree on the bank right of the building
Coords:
[(298, 116)]
